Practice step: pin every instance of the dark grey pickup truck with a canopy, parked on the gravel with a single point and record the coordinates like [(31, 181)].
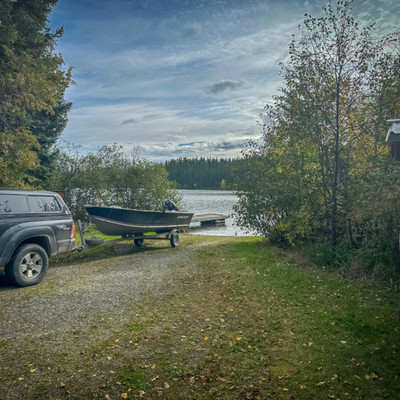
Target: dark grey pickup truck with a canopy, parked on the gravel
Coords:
[(34, 225)]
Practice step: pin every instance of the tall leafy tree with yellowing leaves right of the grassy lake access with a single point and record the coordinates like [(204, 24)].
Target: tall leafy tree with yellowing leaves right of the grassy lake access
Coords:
[(323, 153)]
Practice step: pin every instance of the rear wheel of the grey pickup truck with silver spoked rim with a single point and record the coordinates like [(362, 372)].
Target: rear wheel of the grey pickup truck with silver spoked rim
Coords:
[(28, 265)]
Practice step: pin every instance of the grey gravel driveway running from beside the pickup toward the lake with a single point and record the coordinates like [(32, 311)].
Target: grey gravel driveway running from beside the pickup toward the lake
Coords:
[(57, 331)]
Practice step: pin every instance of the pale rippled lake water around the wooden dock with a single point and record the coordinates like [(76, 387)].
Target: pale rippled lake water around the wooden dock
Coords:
[(212, 202)]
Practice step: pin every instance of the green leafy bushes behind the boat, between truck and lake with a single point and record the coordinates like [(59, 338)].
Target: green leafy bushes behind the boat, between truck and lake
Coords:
[(112, 177)]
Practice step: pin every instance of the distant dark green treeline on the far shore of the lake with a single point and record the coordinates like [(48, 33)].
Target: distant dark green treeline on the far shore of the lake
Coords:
[(202, 173)]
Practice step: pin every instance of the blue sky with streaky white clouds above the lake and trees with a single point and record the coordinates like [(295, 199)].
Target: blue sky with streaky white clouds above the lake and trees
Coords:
[(181, 78)]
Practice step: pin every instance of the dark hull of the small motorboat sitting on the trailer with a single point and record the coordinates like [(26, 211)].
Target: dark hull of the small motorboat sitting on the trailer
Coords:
[(113, 221)]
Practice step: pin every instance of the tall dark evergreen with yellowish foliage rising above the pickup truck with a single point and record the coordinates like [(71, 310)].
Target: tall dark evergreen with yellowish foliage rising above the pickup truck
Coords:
[(32, 86)]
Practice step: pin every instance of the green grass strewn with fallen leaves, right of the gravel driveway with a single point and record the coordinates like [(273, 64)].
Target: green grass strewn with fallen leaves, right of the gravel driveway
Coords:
[(241, 323)]
